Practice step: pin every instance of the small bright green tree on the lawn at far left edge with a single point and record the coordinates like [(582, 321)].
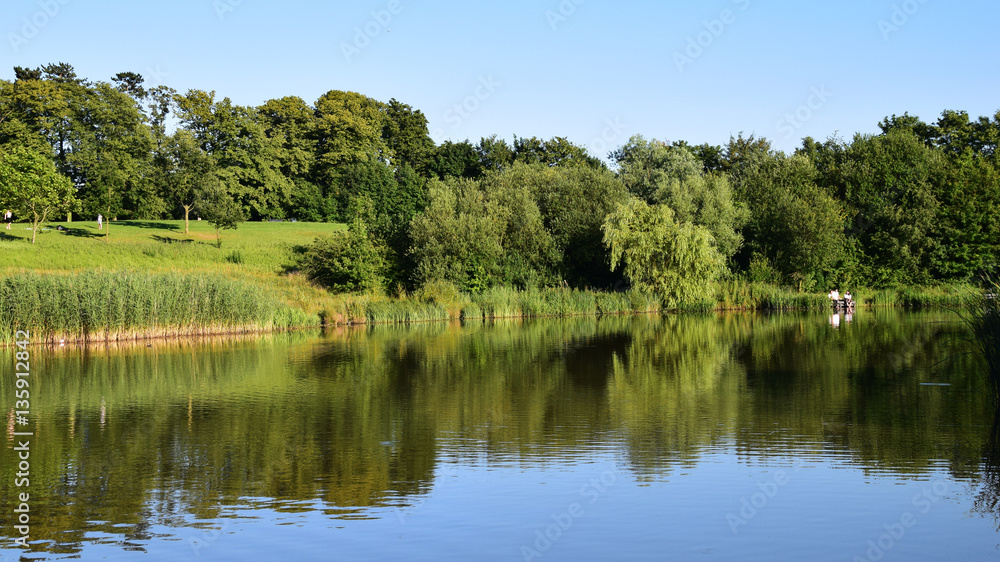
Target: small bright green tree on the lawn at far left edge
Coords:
[(32, 187)]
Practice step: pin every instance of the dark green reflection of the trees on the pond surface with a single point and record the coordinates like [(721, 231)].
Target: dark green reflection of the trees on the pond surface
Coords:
[(362, 421)]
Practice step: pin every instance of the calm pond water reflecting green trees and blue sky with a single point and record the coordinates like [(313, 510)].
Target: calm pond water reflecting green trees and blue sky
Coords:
[(733, 437)]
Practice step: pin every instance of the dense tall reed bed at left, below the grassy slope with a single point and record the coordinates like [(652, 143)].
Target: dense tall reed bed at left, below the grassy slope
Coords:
[(108, 306)]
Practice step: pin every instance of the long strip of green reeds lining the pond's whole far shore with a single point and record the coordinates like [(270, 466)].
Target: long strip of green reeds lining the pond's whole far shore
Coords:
[(93, 306)]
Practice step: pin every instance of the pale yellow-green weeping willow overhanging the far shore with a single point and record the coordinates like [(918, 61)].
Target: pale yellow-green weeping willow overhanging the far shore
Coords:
[(678, 260)]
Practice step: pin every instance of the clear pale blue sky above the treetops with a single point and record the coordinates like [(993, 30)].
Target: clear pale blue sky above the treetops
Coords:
[(583, 69)]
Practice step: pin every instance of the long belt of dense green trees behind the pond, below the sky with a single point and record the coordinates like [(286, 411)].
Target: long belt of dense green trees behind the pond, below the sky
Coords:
[(917, 203)]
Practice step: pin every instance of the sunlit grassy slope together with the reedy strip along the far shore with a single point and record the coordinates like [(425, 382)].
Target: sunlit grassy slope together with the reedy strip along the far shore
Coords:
[(150, 279)]
